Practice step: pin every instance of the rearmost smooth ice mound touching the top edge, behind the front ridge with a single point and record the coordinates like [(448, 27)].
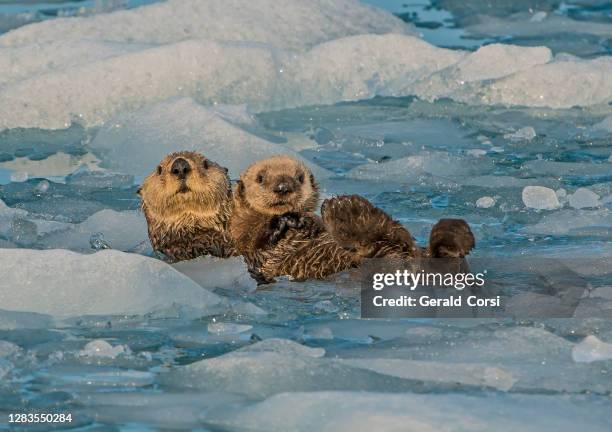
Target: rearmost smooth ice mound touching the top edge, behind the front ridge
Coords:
[(291, 24)]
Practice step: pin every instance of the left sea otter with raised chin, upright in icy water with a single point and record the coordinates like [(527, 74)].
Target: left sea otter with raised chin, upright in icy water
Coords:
[(187, 204)]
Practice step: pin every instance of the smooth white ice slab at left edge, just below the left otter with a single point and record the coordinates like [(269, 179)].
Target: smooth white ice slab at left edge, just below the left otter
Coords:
[(63, 283)]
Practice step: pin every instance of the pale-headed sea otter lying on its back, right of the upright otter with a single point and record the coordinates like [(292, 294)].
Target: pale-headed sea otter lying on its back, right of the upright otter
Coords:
[(273, 225)]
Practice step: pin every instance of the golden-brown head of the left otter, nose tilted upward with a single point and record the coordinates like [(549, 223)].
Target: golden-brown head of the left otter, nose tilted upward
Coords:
[(185, 183)]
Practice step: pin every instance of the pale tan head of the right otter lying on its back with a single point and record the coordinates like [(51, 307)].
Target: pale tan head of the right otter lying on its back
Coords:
[(278, 185)]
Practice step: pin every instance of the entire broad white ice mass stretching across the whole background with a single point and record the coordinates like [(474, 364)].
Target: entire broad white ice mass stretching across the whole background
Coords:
[(118, 62)]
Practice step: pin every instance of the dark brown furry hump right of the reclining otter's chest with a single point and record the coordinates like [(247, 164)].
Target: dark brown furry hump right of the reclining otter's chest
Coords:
[(358, 226)]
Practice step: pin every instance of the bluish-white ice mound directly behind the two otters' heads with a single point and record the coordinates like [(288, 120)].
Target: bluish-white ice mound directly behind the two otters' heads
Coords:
[(182, 124)]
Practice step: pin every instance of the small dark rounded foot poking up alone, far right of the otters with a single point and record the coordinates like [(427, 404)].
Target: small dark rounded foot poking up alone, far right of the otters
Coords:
[(451, 238)]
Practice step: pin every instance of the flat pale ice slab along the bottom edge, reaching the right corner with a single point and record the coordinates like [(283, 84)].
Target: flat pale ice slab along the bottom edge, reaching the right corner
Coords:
[(408, 412)]
